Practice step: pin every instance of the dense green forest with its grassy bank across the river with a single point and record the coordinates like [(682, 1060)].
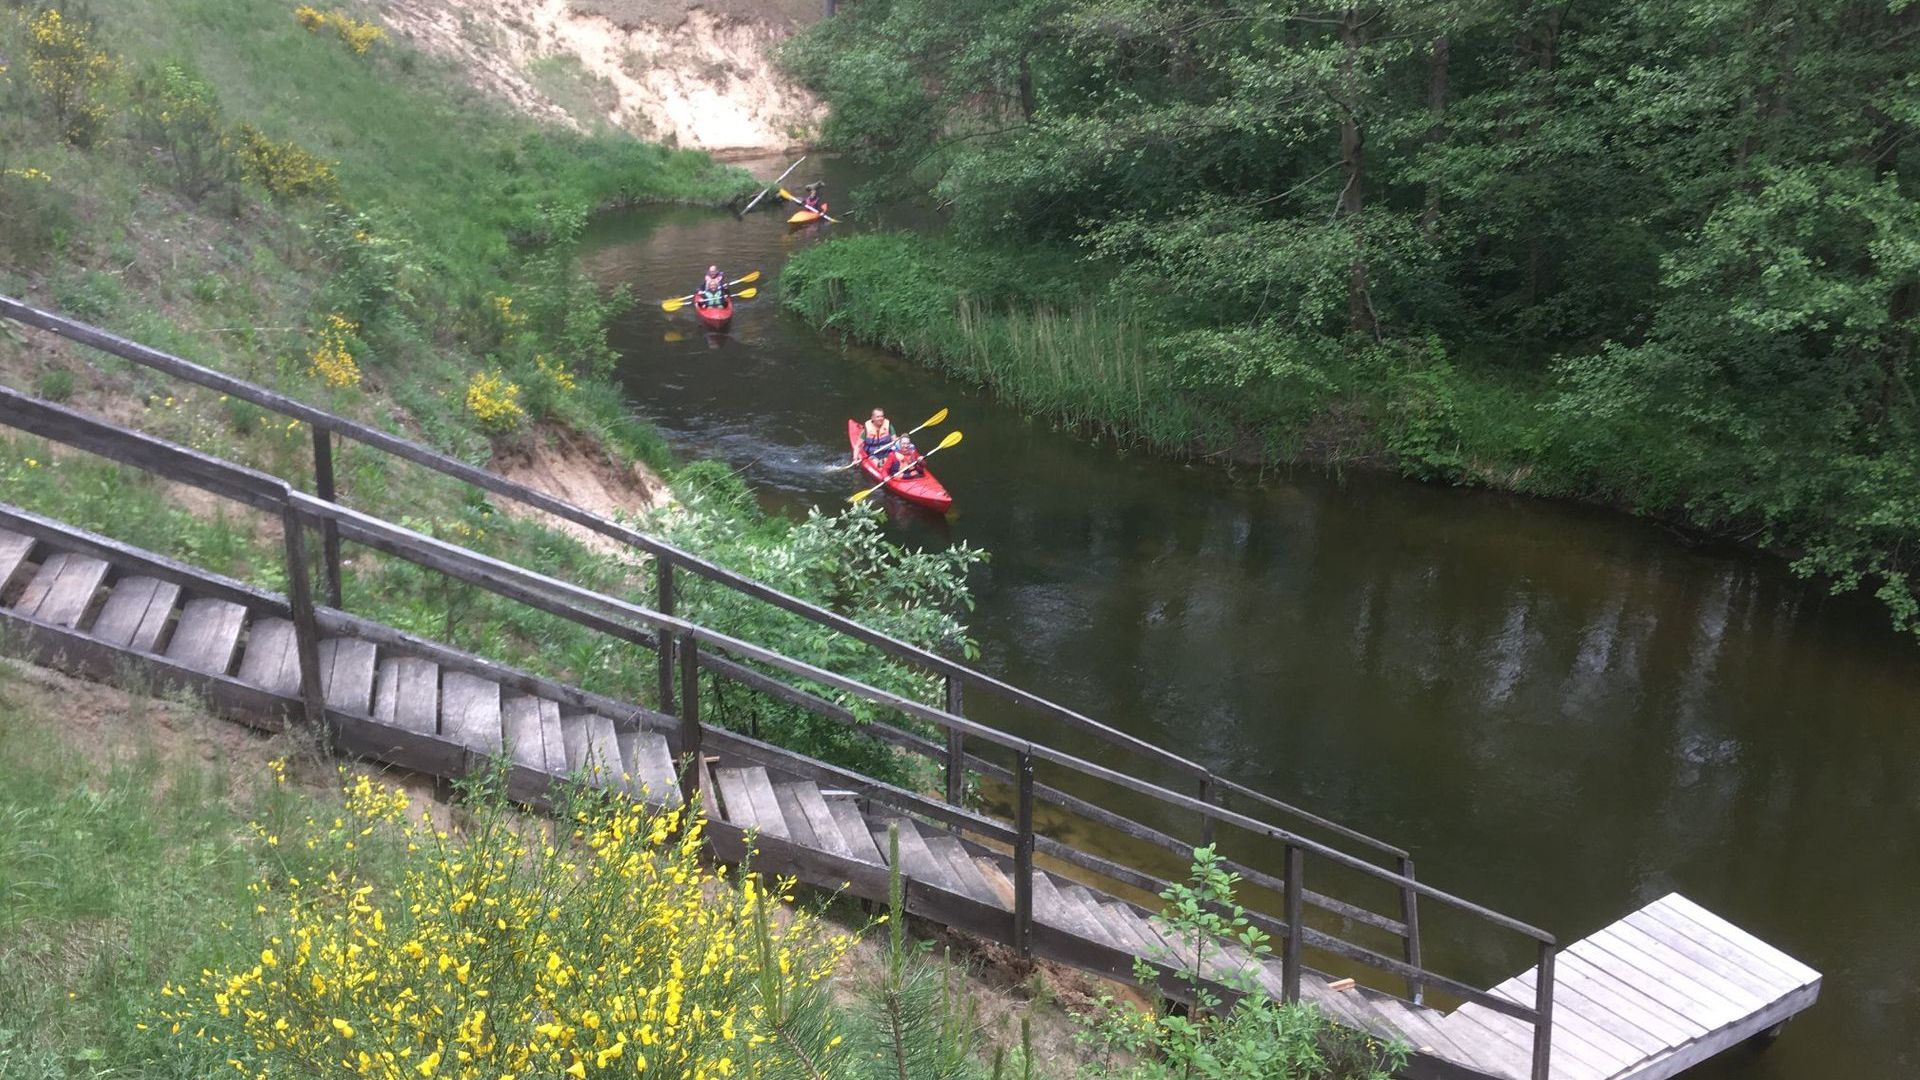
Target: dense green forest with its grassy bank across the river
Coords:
[(1652, 255)]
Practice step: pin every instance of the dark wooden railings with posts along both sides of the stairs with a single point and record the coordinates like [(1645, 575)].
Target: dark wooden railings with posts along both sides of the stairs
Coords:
[(683, 650)]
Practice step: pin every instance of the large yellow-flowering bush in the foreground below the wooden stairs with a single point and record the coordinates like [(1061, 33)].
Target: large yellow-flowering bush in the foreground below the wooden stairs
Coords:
[(514, 952)]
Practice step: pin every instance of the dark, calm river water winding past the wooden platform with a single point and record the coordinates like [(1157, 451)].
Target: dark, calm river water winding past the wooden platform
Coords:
[(1564, 714)]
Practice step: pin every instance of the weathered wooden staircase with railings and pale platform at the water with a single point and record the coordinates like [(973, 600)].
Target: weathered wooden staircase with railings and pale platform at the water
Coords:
[(1648, 996)]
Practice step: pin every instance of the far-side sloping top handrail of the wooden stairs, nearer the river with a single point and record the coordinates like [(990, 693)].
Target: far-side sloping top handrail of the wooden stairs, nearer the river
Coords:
[(324, 422)]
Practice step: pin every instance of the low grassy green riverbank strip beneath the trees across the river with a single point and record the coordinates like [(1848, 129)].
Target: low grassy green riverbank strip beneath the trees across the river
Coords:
[(1059, 339)]
